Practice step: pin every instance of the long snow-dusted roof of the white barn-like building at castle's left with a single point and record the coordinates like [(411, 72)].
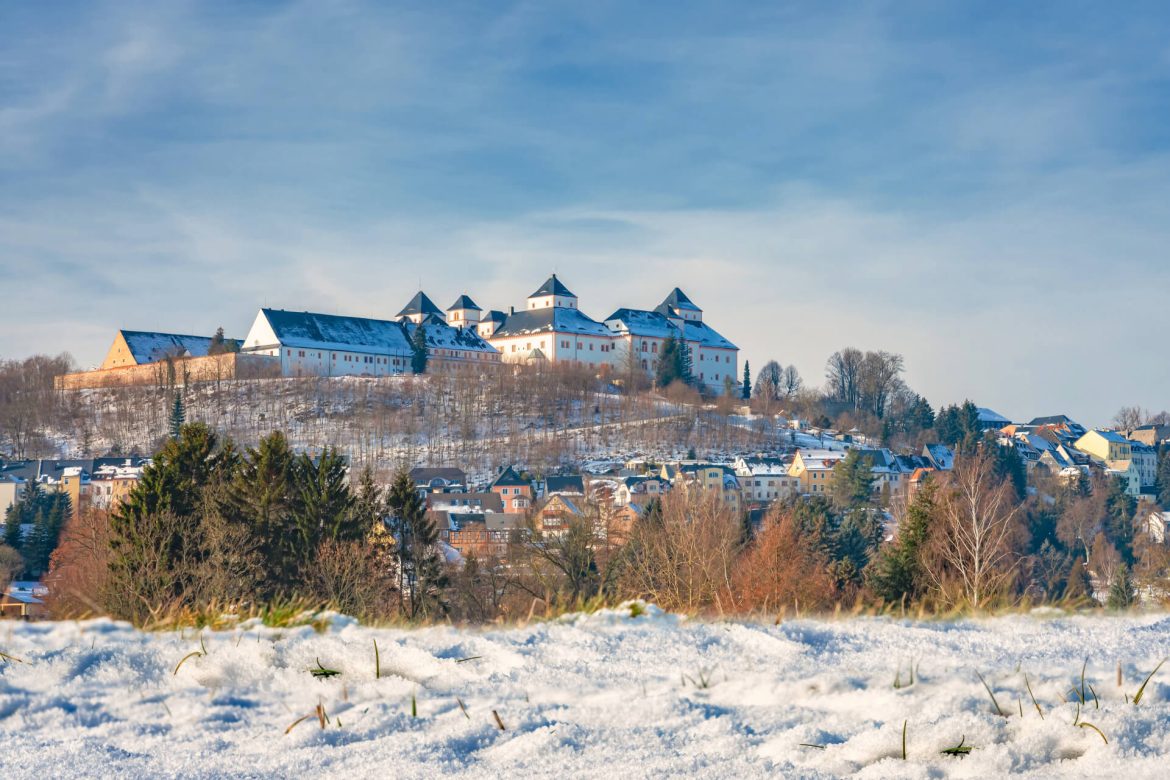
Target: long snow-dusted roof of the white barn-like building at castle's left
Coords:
[(314, 332)]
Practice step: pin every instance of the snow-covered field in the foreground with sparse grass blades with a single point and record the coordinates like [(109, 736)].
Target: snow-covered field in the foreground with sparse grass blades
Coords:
[(602, 696)]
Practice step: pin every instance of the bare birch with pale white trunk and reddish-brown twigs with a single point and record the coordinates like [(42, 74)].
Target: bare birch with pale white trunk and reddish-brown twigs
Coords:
[(973, 555)]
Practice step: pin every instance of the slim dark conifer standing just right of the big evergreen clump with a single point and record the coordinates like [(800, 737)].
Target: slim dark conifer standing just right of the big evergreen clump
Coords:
[(421, 570)]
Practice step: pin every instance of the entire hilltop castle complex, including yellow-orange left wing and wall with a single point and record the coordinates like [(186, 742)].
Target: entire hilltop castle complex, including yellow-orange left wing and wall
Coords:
[(552, 327)]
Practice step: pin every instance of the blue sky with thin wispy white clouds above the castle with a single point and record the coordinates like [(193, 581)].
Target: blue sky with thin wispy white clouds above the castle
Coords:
[(981, 188)]
